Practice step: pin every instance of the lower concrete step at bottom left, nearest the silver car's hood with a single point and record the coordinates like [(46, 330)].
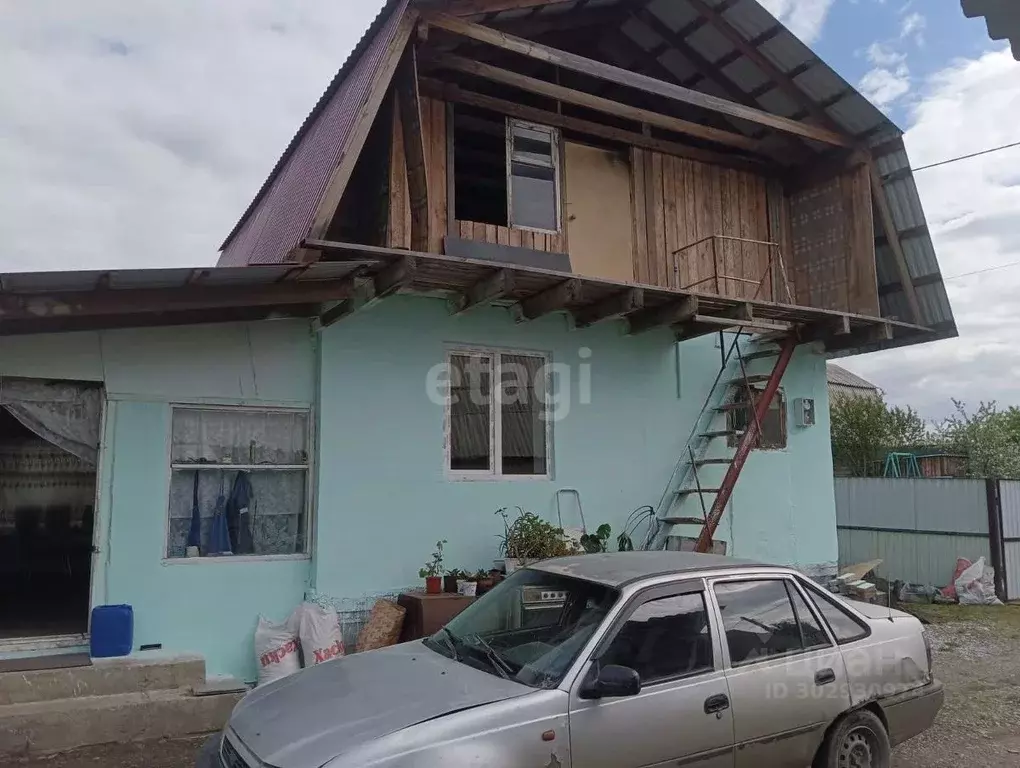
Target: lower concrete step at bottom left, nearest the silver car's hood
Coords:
[(44, 728)]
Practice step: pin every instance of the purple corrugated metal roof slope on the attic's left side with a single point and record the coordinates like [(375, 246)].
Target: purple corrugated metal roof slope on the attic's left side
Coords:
[(280, 217)]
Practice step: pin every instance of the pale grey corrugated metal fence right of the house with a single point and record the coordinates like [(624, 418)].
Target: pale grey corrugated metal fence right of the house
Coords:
[(917, 527)]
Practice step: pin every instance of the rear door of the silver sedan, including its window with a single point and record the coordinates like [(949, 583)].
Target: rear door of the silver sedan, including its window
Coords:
[(787, 678)]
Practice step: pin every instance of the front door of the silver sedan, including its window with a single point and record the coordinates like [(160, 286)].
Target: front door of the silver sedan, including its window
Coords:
[(682, 715)]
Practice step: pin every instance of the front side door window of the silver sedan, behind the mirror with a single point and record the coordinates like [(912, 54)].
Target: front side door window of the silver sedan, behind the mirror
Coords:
[(665, 639)]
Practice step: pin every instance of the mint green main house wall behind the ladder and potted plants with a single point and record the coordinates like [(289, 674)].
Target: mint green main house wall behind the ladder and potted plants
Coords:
[(384, 497)]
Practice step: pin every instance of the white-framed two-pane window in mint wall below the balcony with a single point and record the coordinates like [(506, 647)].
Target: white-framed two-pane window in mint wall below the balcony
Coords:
[(497, 430)]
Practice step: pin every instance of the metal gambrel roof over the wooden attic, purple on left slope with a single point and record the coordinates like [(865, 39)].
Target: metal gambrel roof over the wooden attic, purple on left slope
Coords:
[(279, 219)]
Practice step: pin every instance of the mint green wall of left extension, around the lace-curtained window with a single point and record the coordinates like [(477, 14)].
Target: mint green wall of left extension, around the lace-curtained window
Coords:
[(193, 606)]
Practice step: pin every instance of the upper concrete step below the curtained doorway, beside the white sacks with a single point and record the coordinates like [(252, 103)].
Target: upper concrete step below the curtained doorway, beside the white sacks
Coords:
[(105, 678)]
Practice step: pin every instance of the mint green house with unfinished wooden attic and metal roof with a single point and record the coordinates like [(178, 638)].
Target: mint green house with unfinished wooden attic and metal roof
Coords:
[(492, 270)]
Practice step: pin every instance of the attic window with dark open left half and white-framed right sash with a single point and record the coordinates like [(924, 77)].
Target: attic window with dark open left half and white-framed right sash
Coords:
[(506, 172)]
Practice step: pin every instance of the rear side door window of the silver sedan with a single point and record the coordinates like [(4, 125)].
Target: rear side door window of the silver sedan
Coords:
[(761, 622)]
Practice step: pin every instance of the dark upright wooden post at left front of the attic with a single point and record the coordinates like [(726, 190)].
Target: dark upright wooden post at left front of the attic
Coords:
[(410, 103)]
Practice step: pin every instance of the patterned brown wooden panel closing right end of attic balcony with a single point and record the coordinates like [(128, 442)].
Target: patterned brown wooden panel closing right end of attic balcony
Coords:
[(832, 232)]
